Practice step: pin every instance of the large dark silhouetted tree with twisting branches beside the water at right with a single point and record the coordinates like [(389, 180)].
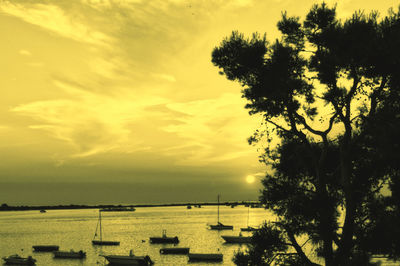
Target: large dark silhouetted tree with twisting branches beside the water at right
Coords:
[(329, 91)]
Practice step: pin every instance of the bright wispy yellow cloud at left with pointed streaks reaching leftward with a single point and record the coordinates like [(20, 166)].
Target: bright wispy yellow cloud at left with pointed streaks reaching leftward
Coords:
[(90, 122)]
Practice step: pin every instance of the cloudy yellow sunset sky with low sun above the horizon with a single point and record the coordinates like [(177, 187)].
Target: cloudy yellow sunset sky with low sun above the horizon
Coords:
[(117, 101)]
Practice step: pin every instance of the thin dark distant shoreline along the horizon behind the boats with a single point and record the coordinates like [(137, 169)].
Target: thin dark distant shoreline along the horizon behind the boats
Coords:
[(5, 207)]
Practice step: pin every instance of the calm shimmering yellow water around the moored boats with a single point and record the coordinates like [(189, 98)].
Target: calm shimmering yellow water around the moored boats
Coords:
[(74, 229)]
